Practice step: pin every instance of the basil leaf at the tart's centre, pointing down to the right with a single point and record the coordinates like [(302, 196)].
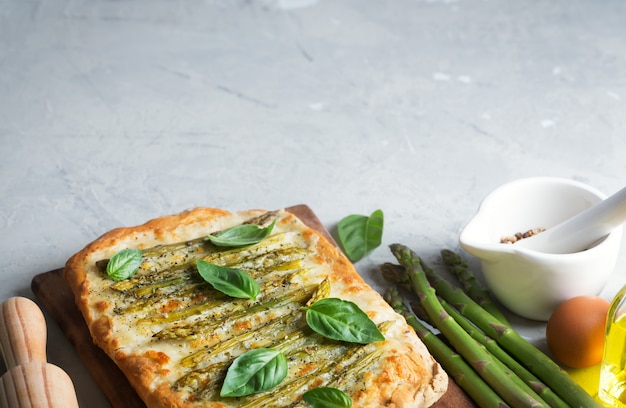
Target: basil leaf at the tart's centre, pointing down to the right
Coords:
[(230, 281)]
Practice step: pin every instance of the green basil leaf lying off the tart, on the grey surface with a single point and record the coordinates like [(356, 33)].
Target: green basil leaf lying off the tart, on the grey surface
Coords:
[(359, 234)]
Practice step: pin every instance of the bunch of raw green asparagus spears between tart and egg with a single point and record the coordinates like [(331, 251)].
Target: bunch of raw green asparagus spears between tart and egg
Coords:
[(436, 296)]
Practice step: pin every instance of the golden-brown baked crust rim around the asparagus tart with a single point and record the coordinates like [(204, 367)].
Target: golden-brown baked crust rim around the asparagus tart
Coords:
[(407, 375)]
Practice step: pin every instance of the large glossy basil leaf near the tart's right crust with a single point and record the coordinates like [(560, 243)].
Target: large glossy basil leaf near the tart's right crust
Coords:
[(342, 320)]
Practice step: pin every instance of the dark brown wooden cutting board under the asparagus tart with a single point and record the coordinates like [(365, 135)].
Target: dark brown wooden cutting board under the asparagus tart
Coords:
[(58, 300)]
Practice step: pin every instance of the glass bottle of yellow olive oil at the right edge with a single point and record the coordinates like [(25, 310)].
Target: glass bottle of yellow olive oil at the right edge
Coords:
[(612, 388)]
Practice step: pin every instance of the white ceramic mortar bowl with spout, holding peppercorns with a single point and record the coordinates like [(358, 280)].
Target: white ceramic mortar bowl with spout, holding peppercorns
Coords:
[(530, 283)]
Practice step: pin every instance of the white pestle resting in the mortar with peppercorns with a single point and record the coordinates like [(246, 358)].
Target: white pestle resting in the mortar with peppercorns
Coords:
[(582, 230)]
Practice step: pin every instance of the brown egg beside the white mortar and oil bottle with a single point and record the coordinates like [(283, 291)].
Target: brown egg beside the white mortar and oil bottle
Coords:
[(575, 331)]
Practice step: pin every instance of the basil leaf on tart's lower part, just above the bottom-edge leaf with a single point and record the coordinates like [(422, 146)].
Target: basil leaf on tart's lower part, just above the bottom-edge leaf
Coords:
[(254, 371)]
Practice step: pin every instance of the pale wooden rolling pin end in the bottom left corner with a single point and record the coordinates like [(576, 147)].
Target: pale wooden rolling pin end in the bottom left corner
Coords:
[(30, 382)]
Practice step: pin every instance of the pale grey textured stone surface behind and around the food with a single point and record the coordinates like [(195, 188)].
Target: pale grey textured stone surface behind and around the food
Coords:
[(114, 112)]
